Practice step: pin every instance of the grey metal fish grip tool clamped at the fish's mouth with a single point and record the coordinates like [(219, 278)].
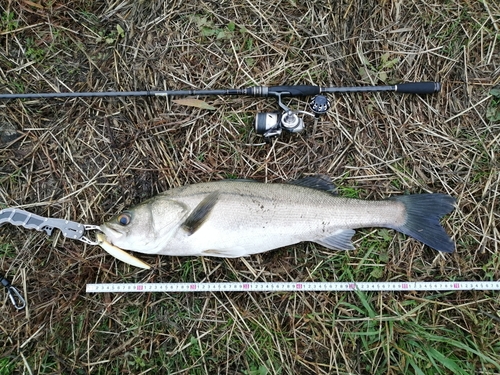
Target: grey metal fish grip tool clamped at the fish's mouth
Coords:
[(28, 220)]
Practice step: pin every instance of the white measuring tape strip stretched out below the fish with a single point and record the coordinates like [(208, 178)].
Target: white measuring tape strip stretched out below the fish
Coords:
[(292, 286)]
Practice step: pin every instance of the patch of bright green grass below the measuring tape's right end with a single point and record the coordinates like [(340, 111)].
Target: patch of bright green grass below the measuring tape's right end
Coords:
[(416, 346)]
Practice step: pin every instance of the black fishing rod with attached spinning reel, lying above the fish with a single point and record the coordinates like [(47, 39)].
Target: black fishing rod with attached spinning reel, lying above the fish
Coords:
[(268, 124)]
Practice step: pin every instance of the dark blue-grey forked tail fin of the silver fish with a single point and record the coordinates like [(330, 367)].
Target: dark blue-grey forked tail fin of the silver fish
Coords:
[(423, 212)]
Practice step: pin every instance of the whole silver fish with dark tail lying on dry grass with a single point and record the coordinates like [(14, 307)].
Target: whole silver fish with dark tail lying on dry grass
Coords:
[(234, 218)]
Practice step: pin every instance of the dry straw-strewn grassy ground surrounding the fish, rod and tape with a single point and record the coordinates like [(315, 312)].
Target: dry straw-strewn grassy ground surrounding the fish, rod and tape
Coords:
[(87, 159)]
